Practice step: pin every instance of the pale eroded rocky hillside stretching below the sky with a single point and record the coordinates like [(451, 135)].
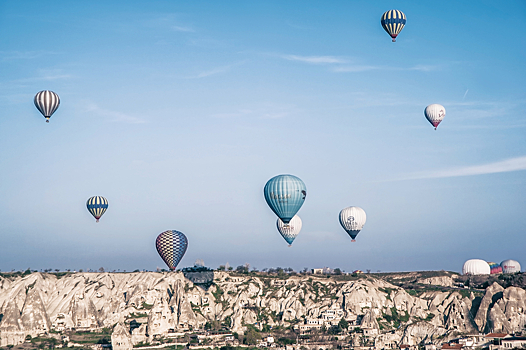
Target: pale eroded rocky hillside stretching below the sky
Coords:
[(150, 304)]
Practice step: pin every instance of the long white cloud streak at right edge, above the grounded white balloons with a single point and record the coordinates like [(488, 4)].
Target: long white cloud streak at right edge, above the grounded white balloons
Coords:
[(504, 166)]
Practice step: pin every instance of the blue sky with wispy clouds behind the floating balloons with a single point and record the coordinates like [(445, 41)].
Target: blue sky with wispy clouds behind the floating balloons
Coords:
[(179, 112)]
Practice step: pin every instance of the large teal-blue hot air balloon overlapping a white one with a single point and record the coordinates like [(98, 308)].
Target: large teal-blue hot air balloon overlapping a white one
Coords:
[(285, 195)]
